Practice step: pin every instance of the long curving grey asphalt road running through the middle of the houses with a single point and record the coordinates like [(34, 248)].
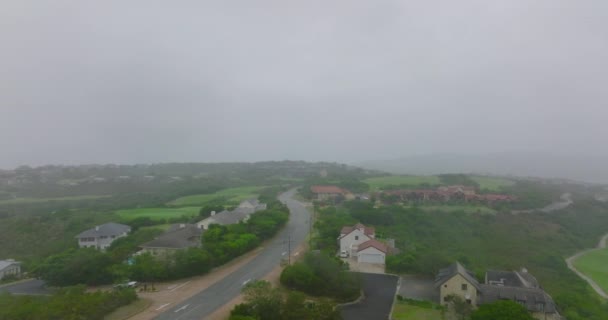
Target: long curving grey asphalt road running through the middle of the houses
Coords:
[(205, 302)]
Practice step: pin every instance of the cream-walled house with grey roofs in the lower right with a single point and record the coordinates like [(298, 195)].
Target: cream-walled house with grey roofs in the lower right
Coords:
[(518, 286)]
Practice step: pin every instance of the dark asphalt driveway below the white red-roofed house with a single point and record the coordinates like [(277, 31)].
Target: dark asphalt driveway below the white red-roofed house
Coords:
[(379, 295)]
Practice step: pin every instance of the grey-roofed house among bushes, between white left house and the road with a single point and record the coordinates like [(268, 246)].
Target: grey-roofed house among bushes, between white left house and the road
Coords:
[(179, 236)]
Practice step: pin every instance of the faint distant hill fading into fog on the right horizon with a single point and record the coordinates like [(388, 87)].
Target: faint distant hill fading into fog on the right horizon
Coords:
[(593, 169)]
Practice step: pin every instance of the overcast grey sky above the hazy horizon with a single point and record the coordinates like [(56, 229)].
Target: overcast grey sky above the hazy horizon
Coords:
[(157, 81)]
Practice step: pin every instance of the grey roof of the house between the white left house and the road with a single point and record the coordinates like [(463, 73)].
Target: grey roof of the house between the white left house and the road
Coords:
[(178, 237)]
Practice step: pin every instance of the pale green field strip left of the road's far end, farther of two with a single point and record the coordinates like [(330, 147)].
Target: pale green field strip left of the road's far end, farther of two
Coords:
[(231, 195)]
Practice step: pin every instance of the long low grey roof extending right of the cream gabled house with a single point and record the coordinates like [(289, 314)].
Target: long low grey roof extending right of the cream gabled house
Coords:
[(531, 298)]
